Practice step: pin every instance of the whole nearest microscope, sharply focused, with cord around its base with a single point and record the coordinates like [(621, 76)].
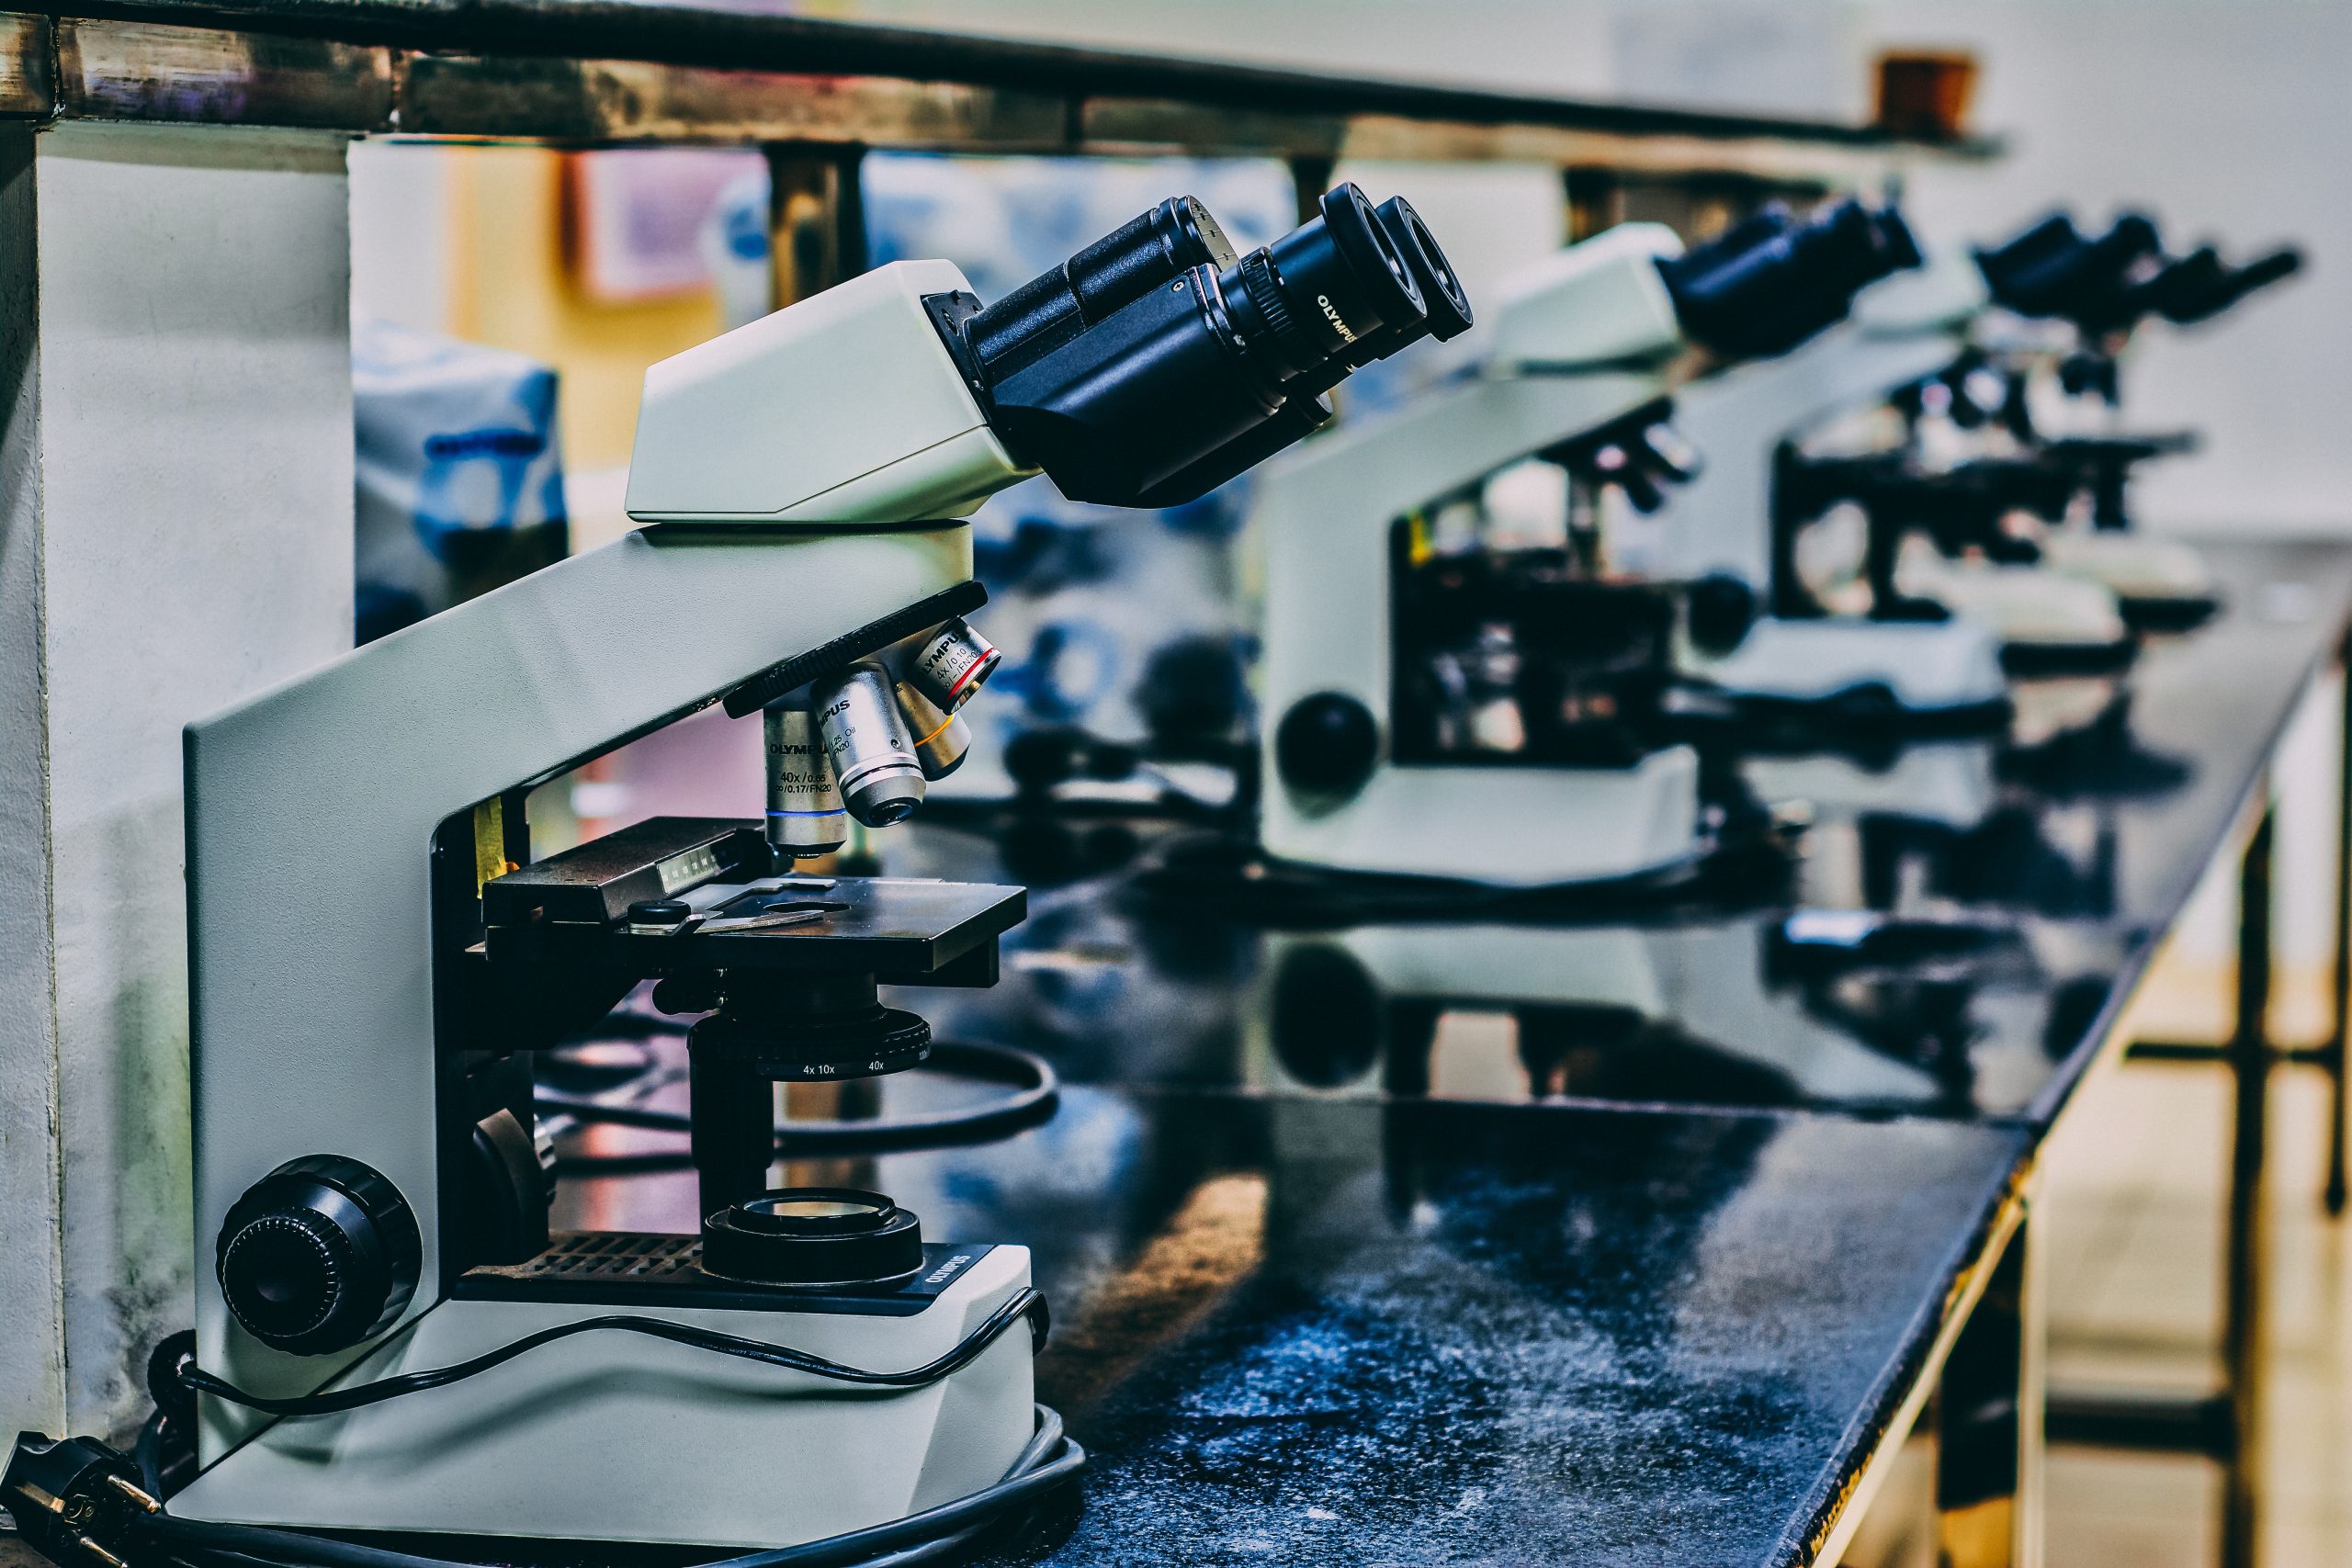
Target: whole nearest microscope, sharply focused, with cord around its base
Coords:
[(394, 1341)]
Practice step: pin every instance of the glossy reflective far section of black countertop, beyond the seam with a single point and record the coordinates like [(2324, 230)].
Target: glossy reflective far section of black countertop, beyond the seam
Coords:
[(1949, 932)]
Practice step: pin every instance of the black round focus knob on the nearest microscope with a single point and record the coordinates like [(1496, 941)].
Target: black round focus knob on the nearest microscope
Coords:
[(319, 1257)]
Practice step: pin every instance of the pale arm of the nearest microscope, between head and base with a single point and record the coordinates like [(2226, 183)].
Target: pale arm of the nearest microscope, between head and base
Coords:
[(314, 808)]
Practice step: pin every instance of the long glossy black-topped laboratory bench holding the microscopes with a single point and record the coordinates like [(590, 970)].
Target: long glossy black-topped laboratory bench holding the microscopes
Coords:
[(1612, 1240)]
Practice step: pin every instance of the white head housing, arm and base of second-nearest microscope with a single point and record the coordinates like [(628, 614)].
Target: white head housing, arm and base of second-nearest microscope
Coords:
[(1584, 340)]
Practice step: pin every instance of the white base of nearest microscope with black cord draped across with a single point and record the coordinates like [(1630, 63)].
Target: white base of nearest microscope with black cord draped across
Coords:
[(617, 1438)]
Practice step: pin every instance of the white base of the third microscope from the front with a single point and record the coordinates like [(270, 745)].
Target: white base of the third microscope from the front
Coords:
[(1937, 671)]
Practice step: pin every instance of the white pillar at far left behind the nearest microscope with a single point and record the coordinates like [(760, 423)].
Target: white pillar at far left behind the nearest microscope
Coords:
[(175, 532)]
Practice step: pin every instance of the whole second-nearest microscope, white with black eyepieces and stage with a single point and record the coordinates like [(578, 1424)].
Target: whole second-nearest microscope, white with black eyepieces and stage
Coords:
[(1448, 699)]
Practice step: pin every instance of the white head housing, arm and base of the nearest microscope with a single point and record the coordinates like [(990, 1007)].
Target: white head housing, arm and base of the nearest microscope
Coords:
[(312, 913)]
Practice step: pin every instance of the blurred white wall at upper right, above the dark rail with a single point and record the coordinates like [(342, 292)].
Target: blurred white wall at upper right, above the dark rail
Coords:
[(2224, 116)]
